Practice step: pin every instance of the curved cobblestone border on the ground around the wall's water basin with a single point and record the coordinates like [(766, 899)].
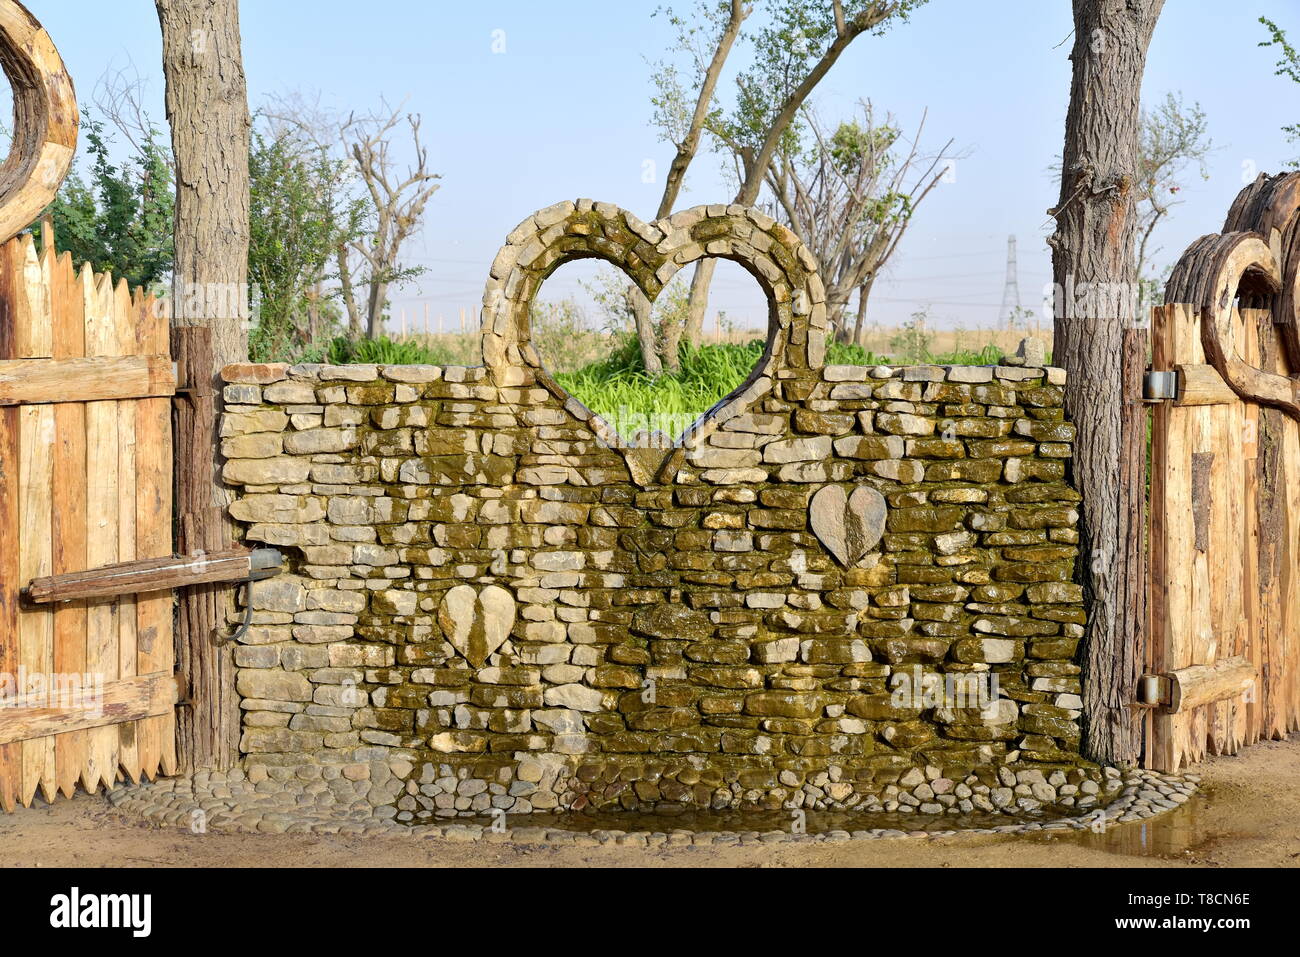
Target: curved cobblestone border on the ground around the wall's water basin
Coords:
[(233, 803)]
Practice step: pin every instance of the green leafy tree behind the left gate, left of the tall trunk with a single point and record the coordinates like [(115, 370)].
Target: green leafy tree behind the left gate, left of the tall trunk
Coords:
[(119, 216)]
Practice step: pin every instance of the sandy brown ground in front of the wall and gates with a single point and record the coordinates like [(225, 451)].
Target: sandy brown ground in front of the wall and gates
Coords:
[(1249, 817)]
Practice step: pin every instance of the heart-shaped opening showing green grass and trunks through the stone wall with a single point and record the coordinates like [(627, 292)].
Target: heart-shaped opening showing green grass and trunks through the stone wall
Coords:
[(613, 350)]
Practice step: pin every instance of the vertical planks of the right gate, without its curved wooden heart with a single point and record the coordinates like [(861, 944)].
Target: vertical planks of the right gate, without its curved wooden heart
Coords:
[(1225, 545)]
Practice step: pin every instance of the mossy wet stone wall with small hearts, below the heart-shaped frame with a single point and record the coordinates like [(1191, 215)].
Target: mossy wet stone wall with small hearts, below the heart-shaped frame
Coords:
[(482, 591)]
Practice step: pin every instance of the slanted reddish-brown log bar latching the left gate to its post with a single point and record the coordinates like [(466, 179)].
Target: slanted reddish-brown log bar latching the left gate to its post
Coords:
[(154, 575)]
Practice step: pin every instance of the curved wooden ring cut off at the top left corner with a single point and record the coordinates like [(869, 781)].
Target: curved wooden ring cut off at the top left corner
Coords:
[(45, 111)]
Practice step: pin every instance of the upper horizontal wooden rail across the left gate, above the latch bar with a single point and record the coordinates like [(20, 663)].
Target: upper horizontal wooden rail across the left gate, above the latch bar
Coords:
[(93, 379)]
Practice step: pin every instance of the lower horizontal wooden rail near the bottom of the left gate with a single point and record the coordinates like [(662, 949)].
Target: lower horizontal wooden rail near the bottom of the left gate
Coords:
[(124, 700)]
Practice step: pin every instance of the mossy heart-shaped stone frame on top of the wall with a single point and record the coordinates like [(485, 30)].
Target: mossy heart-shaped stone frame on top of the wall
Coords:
[(652, 254)]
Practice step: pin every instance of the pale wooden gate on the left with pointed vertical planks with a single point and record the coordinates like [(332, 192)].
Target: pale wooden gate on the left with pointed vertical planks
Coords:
[(85, 482)]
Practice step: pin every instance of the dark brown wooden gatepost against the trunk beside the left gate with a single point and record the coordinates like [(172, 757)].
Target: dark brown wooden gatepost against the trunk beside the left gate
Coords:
[(207, 731)]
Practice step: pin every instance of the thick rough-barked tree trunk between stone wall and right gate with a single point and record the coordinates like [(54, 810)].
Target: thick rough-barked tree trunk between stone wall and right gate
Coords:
[(1094, 244)]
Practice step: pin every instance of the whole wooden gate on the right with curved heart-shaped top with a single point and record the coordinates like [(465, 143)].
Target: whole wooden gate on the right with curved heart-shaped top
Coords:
[(1224, 639)]
